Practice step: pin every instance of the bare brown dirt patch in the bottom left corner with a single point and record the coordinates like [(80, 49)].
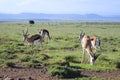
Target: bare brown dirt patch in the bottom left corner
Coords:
[(24, 74)]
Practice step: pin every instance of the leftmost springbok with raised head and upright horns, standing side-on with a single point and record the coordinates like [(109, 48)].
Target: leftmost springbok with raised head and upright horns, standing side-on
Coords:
[(33, 40)]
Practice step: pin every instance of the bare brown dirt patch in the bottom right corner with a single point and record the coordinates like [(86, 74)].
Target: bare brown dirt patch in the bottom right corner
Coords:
[(103, 74)]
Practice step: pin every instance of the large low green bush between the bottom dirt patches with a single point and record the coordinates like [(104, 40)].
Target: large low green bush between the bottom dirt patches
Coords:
[(63, 72)]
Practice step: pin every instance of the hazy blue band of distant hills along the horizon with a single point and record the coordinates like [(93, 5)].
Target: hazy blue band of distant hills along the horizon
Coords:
[(49, 17)]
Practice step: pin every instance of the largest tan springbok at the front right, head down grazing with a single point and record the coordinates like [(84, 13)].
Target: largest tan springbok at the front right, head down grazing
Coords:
[(86, 46)]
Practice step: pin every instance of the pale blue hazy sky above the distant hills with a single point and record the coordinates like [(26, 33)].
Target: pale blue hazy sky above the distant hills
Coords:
[(101, 7)]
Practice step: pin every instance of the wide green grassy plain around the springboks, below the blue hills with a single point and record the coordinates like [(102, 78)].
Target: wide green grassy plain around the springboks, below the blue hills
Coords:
[(64, 50)]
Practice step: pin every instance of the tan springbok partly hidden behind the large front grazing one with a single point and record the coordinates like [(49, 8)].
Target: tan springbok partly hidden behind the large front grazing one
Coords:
[(95, 41)]
